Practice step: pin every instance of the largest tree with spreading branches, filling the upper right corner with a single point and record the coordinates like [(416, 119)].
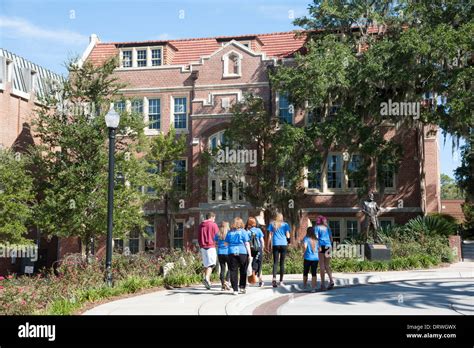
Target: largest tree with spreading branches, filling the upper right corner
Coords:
[(361, 54)]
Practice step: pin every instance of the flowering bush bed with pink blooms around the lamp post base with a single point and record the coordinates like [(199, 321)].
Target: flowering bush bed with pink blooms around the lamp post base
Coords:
[(75, 281)]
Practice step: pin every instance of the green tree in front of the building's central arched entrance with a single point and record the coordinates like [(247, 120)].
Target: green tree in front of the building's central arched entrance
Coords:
[(282, 153)]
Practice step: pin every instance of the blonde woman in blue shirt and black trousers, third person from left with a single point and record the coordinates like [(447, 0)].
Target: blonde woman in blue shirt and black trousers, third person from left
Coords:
[(237, 240)]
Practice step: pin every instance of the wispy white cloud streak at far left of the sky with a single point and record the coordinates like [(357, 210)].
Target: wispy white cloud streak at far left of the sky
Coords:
[(20, 28)]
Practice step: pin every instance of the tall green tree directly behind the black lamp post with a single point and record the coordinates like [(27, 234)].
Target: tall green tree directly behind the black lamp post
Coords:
[(71, 162)]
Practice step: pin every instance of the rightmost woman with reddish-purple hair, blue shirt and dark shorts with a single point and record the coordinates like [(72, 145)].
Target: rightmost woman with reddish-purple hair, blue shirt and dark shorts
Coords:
[(324, 235)]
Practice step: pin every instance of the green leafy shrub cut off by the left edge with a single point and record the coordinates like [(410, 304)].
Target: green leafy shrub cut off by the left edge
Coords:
[(16, 197)]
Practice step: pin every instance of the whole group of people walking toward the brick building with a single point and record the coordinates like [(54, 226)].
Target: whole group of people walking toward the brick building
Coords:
[(237, 246)]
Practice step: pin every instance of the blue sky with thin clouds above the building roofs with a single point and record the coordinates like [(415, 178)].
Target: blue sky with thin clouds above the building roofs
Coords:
[(51, 32)]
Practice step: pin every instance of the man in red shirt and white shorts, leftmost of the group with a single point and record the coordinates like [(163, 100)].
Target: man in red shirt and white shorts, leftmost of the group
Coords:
[(207, 231)]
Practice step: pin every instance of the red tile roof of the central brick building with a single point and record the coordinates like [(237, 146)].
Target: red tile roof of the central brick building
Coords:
[(278, 45)]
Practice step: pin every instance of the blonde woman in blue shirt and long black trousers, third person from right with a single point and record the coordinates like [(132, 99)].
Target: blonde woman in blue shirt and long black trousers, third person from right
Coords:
[(279, 234)]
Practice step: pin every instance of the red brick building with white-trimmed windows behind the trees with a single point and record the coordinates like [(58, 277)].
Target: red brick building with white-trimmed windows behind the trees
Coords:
[(190, 85)]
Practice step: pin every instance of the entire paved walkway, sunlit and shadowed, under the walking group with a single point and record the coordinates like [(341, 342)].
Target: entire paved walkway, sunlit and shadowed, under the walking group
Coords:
[(291, 298)]
